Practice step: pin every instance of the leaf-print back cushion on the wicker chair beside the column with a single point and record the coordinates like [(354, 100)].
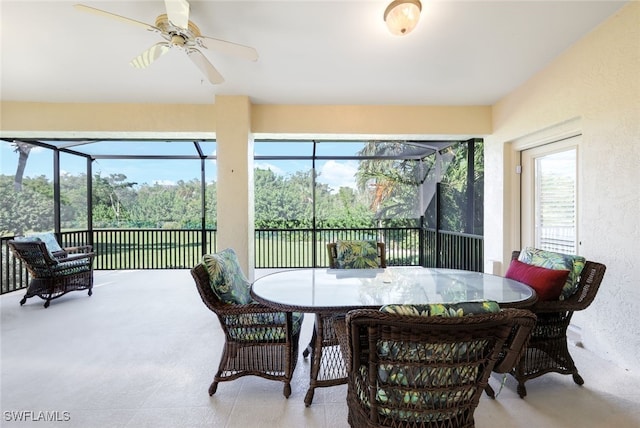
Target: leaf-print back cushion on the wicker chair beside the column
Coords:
[(226, 277)]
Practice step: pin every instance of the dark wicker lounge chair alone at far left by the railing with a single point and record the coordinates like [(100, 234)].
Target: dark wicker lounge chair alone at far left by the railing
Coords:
[(54, 273)]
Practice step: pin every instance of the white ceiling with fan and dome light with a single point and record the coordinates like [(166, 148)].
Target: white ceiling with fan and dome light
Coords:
[(310, 52)]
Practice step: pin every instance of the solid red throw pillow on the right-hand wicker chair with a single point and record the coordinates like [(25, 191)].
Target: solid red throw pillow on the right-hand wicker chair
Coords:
[(548, 283)]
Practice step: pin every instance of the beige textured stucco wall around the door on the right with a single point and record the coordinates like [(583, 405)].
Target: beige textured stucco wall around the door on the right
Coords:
[(594, 86)]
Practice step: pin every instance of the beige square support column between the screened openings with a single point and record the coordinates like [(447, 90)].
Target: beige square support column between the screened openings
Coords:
[(235, 179)]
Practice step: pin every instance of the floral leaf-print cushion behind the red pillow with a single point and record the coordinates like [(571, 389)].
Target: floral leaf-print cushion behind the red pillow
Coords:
[(558, 261)]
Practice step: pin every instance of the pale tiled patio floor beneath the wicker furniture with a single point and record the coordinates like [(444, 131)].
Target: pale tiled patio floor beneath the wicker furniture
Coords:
[(142, 351)]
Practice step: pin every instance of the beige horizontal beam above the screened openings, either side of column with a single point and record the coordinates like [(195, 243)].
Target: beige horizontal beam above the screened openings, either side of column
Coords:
[(29, 118)]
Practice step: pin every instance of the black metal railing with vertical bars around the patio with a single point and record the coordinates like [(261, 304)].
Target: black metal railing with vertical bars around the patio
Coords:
[(122, 249)]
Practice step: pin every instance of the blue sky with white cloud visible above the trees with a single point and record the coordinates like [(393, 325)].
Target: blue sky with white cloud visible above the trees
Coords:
[(335, 173)]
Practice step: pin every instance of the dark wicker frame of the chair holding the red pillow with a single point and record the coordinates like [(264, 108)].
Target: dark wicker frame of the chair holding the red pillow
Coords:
[(547, 350)]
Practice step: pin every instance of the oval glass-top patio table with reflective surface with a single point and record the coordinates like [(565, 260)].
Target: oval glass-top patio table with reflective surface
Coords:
[(339, 290)]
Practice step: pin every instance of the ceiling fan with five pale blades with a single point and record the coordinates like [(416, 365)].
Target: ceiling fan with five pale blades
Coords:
[(178, 32)]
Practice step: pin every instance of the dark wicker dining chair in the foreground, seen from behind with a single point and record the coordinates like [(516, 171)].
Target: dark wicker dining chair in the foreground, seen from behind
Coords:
[(409, 370)]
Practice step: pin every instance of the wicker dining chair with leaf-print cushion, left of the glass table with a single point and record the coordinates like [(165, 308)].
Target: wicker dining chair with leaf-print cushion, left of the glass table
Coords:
[(259, 340)]
